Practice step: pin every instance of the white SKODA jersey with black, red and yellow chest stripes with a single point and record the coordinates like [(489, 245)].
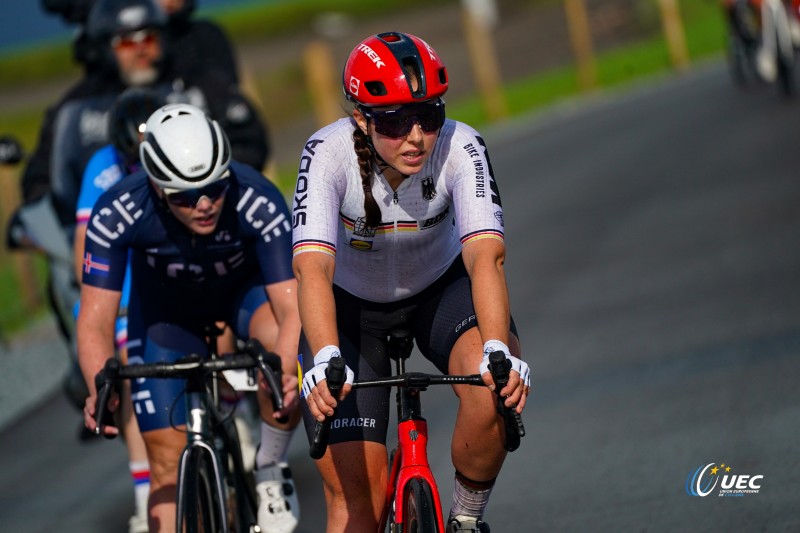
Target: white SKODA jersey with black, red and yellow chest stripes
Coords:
[(424, 223)]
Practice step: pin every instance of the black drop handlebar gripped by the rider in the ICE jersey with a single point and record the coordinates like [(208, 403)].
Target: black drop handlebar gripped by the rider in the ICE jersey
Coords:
[(252, 355)]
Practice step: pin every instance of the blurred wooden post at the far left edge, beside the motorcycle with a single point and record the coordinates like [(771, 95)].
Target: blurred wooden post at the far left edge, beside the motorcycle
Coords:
[(22, 260)]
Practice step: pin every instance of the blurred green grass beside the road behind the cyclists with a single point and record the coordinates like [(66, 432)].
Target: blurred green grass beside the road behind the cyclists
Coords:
[(703, 25)]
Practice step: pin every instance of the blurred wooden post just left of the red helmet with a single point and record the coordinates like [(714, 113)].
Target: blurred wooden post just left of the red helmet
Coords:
[(322, 82)]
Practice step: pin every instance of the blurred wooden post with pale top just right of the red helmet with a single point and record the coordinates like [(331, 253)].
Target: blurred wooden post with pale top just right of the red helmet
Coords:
[(484, 65)]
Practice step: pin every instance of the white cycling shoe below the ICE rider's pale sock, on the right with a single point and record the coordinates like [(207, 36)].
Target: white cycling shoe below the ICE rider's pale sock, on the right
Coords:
[(278, 506)]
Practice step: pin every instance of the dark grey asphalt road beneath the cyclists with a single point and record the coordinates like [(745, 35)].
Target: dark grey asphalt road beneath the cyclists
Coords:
[(653, 259)]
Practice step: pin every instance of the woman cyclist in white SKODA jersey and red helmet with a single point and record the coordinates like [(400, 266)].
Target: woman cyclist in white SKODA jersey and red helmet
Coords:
[(398, 225)]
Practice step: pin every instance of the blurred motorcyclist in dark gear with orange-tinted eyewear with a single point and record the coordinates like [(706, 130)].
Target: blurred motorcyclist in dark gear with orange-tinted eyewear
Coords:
[(128, 47)]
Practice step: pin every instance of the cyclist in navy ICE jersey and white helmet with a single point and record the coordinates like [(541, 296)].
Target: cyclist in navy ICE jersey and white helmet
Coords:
[(208, 240)]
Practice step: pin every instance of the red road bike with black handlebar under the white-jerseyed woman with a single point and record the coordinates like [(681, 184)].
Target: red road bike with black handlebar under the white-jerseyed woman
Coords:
[(412, 498)]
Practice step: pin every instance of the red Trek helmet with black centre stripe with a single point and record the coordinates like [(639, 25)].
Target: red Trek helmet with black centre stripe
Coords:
[(375, 72)]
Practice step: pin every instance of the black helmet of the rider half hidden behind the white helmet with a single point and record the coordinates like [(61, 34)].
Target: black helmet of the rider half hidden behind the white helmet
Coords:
[(127, 118)]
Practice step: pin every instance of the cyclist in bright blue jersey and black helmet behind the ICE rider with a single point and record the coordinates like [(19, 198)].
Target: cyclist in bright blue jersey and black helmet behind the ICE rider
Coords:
[(106, 167)]
